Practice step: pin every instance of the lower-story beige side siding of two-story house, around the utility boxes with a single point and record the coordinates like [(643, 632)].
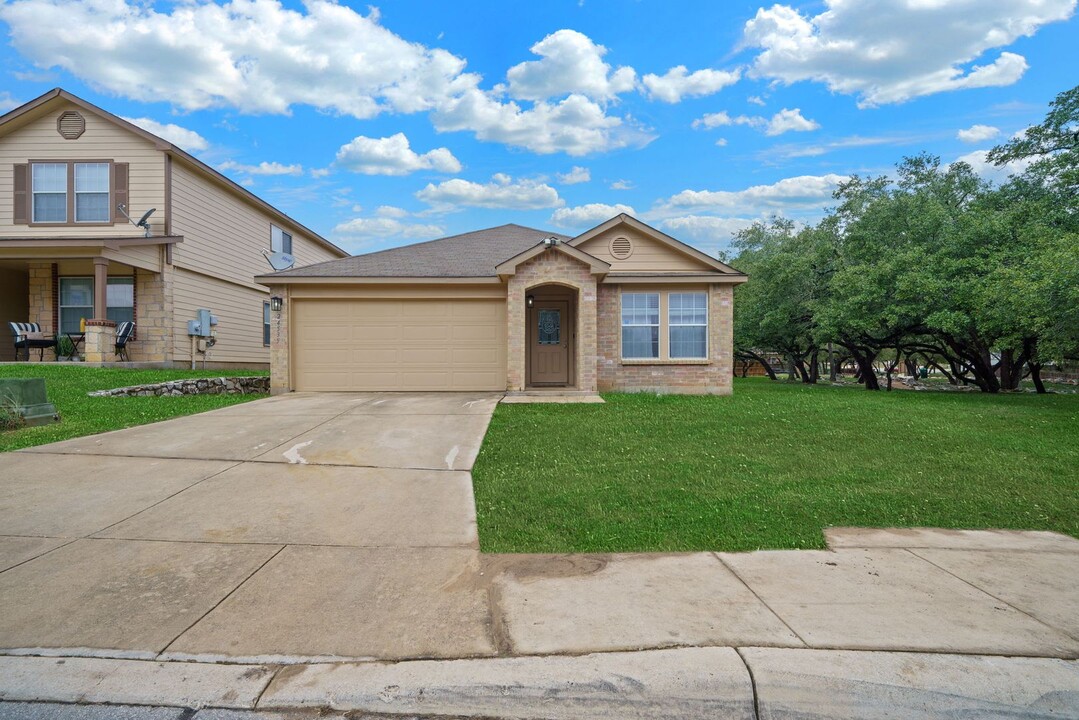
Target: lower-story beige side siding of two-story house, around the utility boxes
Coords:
[(239, 311)]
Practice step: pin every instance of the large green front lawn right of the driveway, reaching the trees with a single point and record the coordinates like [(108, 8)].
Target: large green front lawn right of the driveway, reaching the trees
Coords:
[(772, 467)]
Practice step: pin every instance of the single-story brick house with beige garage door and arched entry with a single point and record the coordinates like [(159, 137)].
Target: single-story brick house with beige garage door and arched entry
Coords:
[(621, 307)]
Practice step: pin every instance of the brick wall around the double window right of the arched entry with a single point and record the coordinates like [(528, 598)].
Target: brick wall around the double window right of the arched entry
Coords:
[(713, 376)]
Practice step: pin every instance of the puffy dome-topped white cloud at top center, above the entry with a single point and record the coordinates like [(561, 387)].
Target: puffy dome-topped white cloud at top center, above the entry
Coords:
[(570, 64)]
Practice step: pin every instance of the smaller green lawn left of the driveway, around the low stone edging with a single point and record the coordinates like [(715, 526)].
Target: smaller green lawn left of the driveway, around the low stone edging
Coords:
[(67, 387)]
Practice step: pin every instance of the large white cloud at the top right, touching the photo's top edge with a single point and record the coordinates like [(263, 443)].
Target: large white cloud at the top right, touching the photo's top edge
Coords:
[(891, 51)]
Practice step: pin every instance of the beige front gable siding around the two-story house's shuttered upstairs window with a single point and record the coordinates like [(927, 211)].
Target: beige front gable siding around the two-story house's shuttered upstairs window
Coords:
[(103, 141)]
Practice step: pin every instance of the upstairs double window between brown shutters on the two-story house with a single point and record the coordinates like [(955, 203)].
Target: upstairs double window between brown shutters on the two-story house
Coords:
[(63, 191)]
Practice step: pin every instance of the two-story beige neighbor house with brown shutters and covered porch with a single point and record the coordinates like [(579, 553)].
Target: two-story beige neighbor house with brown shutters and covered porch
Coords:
[(69, 253)]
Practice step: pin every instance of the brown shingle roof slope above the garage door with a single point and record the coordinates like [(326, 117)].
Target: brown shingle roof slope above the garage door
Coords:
[(469, 255)]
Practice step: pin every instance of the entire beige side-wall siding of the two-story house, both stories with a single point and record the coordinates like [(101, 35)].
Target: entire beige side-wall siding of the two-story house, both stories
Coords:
[(224, 241)]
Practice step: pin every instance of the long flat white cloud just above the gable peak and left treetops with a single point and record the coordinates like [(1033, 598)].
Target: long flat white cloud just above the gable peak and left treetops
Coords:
[(800, 193)]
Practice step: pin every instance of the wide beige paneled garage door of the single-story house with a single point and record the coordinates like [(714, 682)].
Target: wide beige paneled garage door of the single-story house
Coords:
[(400, 345)]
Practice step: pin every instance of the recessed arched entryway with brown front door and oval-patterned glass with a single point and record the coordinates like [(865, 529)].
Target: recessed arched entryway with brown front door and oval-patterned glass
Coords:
[(551, 337)]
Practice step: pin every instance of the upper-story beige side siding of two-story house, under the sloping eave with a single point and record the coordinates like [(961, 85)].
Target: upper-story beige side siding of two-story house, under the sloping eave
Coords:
[(224, 236)]
